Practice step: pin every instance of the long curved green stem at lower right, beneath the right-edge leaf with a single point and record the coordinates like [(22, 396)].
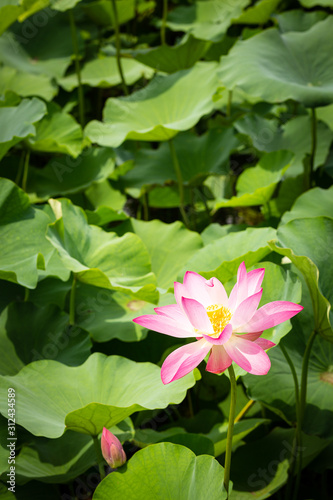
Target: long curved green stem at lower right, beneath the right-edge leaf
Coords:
[(304, 382)]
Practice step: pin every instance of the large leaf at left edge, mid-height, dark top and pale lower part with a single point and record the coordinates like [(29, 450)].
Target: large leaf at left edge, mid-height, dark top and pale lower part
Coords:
[(23, 246)]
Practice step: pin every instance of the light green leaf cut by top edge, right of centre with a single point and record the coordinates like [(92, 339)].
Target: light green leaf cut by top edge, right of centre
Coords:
[(206, 20)]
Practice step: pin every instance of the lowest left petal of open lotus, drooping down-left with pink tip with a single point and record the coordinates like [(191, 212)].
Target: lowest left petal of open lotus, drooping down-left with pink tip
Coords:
[(183, 360)]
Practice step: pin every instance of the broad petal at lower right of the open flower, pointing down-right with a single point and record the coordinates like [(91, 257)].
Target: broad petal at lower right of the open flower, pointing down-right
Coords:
[(248, 355)]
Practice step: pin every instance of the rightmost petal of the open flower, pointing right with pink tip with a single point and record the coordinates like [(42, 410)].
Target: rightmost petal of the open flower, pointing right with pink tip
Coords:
[(270, 315)]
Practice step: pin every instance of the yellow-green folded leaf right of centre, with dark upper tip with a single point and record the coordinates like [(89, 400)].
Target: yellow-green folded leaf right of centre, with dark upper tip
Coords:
[(256, 185)]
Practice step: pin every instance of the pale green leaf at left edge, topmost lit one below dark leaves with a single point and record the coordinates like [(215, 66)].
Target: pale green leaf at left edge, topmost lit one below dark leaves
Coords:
[(25, 84)]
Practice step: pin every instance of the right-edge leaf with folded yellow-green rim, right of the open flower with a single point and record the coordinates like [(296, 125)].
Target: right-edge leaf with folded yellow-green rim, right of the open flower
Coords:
[(308, 244)]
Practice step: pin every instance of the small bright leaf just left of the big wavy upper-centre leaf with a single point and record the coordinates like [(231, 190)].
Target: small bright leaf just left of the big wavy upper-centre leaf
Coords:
[(58, 132)]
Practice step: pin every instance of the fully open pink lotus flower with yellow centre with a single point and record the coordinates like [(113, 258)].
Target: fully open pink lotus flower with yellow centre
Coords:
[(229, 328)]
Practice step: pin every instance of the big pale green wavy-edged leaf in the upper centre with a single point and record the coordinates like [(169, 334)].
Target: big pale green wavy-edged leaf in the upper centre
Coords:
[(160, 110)]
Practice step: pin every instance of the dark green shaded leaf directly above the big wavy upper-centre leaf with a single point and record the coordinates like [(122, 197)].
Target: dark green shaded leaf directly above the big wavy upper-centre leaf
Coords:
[(170, 59)]
